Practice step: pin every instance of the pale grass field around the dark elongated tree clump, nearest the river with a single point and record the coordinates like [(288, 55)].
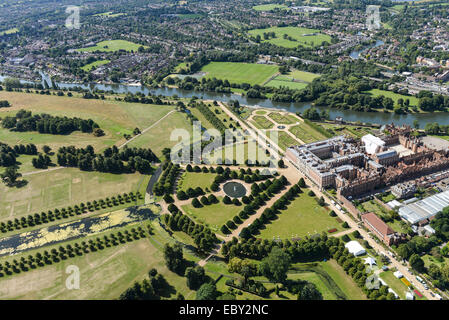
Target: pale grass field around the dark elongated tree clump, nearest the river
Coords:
[(115, 118)]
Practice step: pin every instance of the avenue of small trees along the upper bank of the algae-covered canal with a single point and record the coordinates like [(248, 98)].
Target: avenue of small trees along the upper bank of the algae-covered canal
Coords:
[(67, 212)]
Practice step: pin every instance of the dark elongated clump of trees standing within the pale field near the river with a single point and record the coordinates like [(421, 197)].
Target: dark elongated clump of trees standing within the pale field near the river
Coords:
[(45, 123)]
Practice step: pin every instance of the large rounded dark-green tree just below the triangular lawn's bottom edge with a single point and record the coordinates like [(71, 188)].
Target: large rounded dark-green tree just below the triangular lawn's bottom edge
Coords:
[(275, 266)]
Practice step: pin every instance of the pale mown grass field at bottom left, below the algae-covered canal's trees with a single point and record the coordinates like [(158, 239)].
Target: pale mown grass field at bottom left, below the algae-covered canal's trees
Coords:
[(104, 274)]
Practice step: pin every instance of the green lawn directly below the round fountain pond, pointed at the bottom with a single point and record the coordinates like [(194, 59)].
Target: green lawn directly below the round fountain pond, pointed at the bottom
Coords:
[(214, 215)]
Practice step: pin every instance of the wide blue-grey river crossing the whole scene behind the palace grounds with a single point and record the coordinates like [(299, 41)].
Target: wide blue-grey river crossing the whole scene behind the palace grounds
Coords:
[(348, 115)]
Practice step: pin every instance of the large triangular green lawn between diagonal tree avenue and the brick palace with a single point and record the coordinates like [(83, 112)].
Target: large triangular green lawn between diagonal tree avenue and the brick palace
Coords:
[(302, 217)]
